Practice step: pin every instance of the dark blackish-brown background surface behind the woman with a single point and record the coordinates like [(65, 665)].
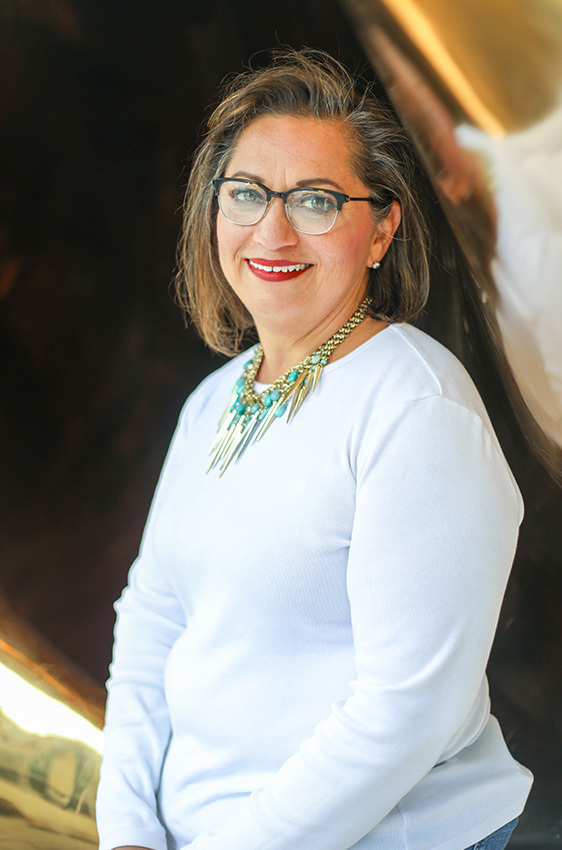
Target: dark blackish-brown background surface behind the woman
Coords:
[(99, 108)]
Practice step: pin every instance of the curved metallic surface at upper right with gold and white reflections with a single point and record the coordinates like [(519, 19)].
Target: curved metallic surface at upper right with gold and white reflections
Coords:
[(479, 87)]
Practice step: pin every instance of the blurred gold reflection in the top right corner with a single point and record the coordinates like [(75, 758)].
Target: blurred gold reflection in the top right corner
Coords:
[(498, 63)]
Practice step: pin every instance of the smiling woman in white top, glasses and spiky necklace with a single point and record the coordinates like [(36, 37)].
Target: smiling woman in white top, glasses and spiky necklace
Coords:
[(300, 652)]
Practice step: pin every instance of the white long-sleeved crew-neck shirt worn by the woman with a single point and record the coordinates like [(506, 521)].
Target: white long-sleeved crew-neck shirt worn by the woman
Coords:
[(301, 650)]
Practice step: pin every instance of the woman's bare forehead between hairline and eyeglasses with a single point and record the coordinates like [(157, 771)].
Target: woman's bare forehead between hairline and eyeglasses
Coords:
[(294, 147)]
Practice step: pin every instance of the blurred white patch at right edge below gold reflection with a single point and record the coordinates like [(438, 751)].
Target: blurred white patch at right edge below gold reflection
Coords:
[(525, 171)]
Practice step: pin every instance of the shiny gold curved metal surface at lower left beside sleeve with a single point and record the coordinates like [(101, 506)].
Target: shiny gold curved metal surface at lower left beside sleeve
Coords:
[(50, 745)]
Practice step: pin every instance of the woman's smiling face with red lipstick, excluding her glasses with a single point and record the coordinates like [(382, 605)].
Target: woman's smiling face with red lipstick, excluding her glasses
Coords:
[(283, 152)]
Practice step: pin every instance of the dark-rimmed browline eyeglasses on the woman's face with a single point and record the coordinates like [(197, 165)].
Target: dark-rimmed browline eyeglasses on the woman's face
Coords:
[(311, 211)]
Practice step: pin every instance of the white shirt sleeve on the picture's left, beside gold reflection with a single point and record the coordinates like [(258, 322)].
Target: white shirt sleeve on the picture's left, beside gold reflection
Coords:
[(137, 725)]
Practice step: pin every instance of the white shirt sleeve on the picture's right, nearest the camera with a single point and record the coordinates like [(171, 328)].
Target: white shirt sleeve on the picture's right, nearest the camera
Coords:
[(435, 530)]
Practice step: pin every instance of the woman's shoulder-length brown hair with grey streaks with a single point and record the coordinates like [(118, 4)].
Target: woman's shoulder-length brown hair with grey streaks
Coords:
[(305, 83)]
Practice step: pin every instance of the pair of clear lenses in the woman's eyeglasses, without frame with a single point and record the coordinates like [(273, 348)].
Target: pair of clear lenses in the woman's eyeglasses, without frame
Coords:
[(309, 211)]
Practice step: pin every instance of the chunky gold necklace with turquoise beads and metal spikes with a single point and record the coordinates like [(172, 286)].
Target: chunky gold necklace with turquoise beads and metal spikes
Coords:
[(249, 414)]
